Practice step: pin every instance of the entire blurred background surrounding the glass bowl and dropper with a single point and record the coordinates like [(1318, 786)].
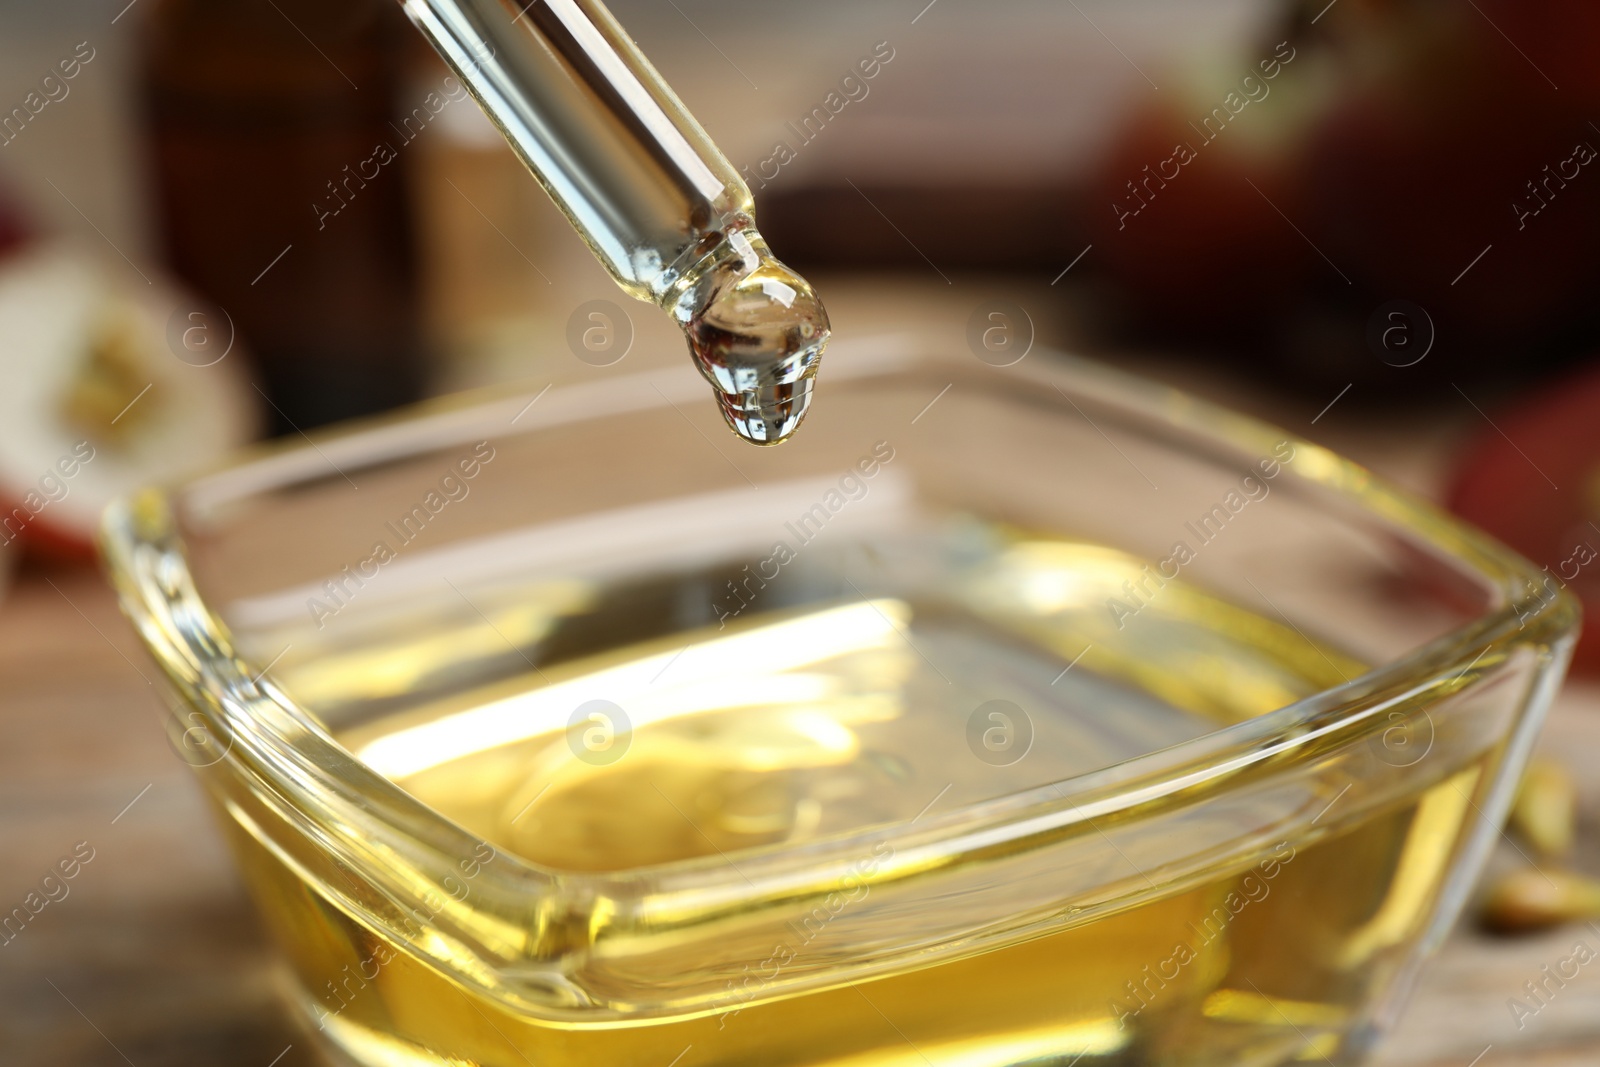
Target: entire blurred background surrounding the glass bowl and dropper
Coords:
[(1369, 222)]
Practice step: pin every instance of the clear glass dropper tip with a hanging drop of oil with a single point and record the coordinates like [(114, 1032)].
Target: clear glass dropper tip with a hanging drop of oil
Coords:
[(660, 206)]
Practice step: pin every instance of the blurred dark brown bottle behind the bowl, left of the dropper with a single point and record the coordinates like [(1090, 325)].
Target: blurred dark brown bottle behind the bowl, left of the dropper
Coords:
[(265, 118)]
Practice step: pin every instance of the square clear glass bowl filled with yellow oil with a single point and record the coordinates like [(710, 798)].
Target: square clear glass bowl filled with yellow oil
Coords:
[(1007, 716)]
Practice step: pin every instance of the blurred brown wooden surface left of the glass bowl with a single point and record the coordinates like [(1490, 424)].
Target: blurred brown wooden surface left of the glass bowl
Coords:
[(154, 957)]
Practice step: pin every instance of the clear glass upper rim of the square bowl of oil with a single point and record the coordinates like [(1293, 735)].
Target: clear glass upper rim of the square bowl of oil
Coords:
[(143, 521)]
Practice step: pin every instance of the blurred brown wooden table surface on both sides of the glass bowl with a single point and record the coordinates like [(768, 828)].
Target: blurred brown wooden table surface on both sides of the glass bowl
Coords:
[(154, 957)]
